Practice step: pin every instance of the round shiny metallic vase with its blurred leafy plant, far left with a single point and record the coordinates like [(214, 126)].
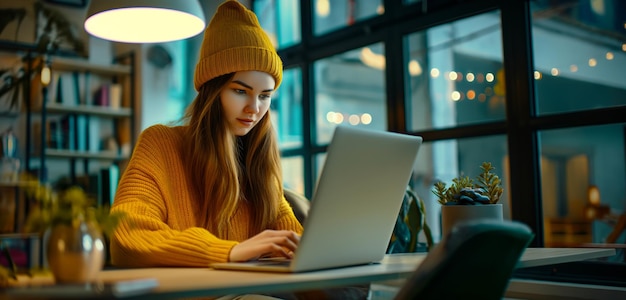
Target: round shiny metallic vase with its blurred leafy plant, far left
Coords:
[(73, 232)]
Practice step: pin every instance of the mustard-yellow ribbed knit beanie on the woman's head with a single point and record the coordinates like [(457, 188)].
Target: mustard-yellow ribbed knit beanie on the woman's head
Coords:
[(234, 41)]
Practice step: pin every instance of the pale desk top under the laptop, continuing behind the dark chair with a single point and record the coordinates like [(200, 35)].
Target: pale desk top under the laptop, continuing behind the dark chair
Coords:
[(195, 282)]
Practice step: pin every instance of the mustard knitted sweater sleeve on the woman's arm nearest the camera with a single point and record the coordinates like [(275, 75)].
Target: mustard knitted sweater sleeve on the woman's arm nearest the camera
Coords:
[(144, 238)]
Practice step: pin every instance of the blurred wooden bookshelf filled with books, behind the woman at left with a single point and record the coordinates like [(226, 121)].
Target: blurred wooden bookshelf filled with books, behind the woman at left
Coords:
[(81, 126)]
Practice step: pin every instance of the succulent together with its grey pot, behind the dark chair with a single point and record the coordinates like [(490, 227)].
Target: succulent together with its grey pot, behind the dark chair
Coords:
[(467, 199)]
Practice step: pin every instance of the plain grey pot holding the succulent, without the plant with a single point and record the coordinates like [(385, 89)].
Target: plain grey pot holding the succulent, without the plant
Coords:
[(454, 214)]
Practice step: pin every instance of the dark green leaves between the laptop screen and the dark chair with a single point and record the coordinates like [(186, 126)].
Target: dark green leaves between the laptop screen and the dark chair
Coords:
[(410, 222)]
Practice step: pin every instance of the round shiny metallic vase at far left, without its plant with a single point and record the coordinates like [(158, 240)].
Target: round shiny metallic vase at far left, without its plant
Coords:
[(75, 254)]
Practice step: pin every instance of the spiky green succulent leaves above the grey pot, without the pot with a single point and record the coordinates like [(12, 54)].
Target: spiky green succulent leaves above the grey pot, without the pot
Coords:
[(465, 191)]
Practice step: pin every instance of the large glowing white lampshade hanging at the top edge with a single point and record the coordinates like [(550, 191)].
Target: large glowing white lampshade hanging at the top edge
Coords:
[(144, 21)]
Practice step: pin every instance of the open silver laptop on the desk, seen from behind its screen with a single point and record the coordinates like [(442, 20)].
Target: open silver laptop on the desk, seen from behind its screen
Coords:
[(354, 208)]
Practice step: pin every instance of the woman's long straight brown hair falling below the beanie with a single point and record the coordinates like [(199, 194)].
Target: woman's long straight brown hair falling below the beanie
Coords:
[(226, 169)]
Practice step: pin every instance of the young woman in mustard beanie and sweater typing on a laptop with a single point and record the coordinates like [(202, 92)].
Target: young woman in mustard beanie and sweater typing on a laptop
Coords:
[(210, 190)]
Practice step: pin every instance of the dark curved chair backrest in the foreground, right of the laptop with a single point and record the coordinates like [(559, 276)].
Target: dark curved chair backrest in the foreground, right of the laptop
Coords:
[(475, 261)]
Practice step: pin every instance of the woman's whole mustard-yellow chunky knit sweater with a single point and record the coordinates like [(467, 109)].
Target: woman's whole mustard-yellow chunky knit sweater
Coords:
[(156, 194)]
